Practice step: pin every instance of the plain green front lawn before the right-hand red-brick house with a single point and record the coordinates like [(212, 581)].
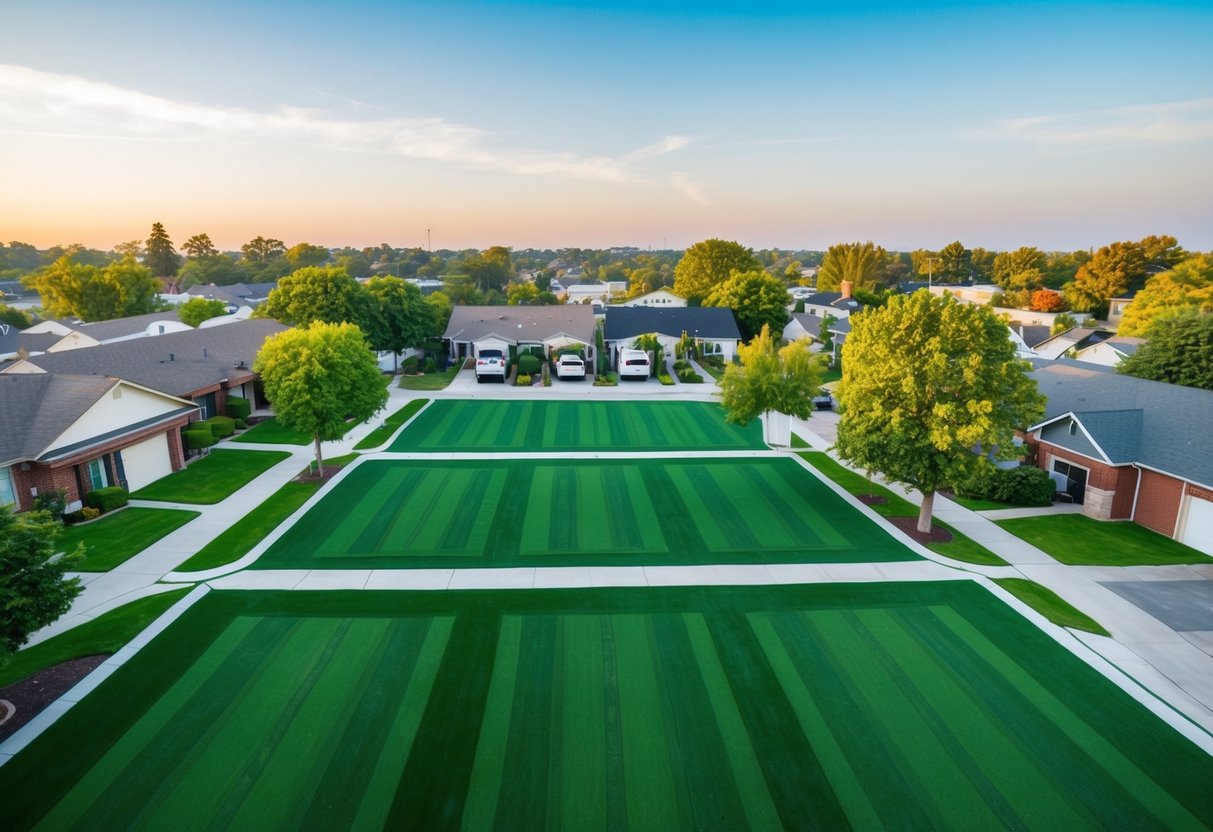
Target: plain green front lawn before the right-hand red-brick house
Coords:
[(1078, 540)]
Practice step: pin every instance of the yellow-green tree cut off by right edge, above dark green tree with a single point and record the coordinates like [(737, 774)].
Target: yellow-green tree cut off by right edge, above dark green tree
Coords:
[(1180, 351)]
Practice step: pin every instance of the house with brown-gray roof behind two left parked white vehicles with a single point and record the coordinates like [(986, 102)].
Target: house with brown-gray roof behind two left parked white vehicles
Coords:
[(506, 328)]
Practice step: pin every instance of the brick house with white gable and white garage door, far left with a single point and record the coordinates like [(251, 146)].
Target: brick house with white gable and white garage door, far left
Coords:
[(81, 434)]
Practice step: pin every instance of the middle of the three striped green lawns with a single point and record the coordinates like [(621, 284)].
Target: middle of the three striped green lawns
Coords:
[(419, 514)]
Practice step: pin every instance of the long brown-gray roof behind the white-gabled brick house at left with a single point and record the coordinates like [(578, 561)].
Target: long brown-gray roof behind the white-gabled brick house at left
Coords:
[(176, 363)]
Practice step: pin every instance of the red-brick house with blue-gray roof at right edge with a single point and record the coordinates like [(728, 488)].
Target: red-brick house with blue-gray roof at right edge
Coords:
[(1129, 449)]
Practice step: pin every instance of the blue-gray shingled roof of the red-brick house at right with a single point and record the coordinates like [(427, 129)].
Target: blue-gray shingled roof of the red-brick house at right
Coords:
[(1172, 426)]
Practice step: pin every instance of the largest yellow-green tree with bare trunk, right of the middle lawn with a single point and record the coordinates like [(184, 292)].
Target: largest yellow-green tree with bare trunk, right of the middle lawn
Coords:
[(925, 383)]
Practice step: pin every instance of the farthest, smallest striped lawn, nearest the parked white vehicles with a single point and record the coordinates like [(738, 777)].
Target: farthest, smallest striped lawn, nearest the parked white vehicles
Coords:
[(451, 425)]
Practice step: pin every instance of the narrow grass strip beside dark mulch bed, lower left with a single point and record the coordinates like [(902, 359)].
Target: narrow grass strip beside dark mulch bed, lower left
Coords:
[(105, 635)]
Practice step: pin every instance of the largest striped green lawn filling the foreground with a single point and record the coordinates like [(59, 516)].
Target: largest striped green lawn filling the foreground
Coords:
[(879, 705)]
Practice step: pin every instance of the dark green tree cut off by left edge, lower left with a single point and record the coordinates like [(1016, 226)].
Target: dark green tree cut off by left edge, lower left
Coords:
[(35, 590)]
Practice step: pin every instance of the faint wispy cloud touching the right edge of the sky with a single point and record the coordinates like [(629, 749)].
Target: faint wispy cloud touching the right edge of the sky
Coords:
[(1152, 124)]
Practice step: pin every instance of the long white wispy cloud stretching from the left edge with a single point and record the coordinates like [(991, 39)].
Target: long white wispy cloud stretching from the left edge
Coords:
[(38, 102)]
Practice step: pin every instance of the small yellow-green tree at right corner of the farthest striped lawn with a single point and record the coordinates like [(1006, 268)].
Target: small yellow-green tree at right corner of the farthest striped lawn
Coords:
[(771, 380)]
